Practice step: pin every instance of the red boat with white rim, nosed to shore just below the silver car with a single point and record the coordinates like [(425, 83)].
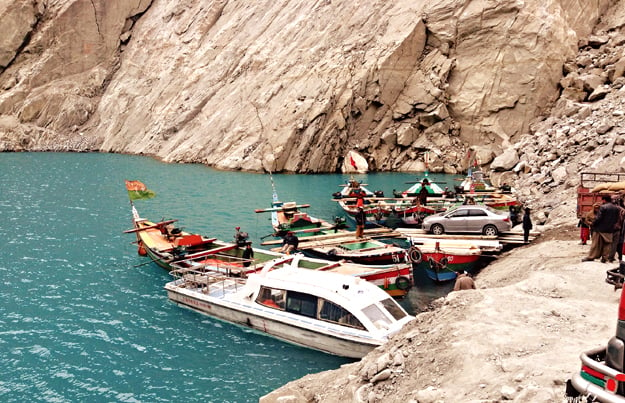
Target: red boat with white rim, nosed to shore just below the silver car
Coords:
[(443, 263)]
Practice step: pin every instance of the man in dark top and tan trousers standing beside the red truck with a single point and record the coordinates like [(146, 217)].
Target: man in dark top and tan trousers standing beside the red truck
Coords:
[(603, 229)]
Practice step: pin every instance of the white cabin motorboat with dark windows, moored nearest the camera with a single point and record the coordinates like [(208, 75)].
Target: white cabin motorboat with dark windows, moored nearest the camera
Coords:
[(329, 312)]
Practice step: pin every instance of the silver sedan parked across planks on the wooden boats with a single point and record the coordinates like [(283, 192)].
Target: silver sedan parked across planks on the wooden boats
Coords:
[(468, 218)]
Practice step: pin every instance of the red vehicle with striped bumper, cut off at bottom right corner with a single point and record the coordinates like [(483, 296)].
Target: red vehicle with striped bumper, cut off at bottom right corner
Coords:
[(601, 377)]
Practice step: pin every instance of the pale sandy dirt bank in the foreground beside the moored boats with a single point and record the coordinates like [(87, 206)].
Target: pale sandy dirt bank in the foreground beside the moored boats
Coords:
[(517, 337)]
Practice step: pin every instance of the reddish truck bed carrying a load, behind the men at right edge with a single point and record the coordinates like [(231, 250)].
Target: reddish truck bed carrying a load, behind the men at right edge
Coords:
[(594, 185)]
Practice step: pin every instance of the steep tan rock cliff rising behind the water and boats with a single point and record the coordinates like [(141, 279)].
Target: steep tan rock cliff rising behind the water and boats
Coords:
[(287, 85)]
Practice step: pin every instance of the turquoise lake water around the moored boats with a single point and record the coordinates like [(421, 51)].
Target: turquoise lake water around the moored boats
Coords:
[(82, 319)]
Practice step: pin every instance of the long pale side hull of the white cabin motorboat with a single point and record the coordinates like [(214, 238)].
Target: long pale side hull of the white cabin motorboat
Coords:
[(292, 333)]
